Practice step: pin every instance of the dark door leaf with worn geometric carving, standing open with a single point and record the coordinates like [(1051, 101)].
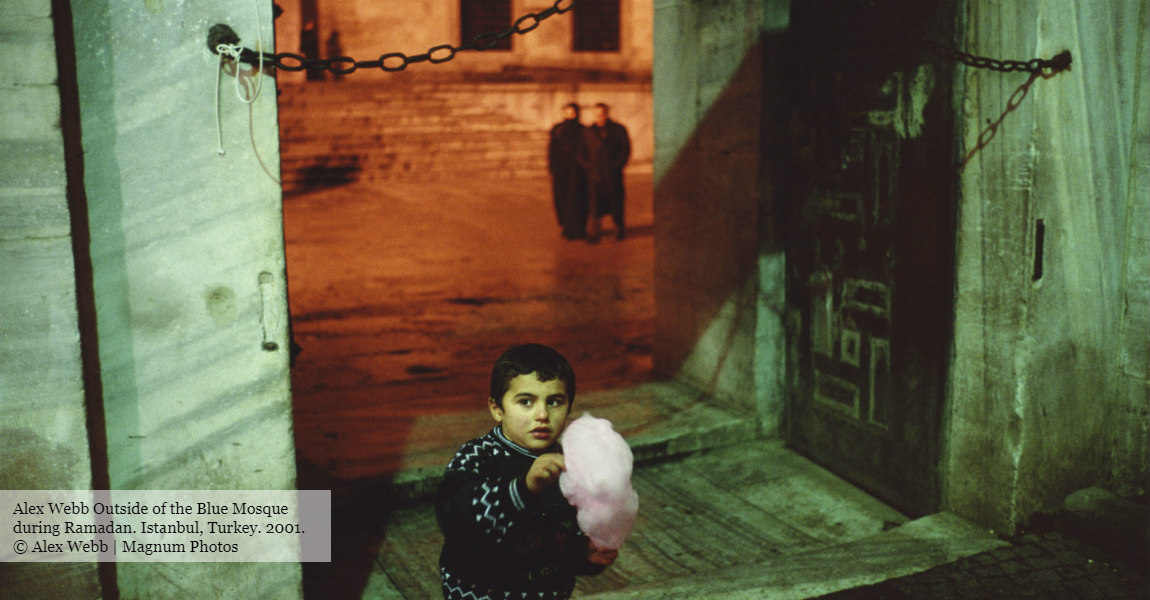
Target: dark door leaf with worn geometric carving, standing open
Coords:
[(871, 203)]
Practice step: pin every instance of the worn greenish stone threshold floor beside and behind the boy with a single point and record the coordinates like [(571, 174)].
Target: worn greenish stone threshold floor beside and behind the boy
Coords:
[(743, 522)]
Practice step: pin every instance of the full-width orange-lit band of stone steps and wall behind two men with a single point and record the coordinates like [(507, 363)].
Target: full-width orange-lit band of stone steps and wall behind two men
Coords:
[(363, 130)]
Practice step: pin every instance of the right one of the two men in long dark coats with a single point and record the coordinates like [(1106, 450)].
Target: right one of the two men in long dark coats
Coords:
[(605, 151)]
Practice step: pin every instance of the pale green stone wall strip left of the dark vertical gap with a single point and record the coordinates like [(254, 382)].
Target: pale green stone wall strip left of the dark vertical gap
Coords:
[(44, 442)]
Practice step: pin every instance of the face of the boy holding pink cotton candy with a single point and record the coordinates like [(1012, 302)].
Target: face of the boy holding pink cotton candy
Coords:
[(534, 413)]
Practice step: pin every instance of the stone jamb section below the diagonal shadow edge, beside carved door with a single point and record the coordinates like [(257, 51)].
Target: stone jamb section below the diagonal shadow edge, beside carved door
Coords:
[(717, 210)]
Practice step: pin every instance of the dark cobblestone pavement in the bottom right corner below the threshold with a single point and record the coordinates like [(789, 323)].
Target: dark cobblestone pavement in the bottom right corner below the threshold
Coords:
[(1039, 565)]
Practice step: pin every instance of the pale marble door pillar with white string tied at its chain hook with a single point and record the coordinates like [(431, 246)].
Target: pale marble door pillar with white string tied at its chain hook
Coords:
[(188, 268)]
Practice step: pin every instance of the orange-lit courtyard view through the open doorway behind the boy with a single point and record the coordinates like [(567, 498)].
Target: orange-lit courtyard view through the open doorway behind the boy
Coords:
[(421, 239)]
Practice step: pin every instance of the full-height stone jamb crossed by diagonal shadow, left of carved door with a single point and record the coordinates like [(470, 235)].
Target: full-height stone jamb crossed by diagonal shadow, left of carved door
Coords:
[(719, 276)]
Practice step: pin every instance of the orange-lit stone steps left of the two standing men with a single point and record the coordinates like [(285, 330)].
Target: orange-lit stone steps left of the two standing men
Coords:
[(335, 133)]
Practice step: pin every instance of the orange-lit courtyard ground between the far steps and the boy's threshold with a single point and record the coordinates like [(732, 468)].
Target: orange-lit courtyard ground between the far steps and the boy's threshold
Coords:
[(405, 293)]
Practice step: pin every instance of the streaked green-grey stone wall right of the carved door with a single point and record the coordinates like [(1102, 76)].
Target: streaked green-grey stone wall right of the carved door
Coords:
[(1049, 386)]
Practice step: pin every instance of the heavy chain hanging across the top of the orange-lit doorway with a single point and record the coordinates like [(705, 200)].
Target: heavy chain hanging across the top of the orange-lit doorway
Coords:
[(398, 61)]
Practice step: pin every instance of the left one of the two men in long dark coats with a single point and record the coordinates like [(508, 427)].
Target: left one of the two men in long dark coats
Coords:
[(569, 183)]
